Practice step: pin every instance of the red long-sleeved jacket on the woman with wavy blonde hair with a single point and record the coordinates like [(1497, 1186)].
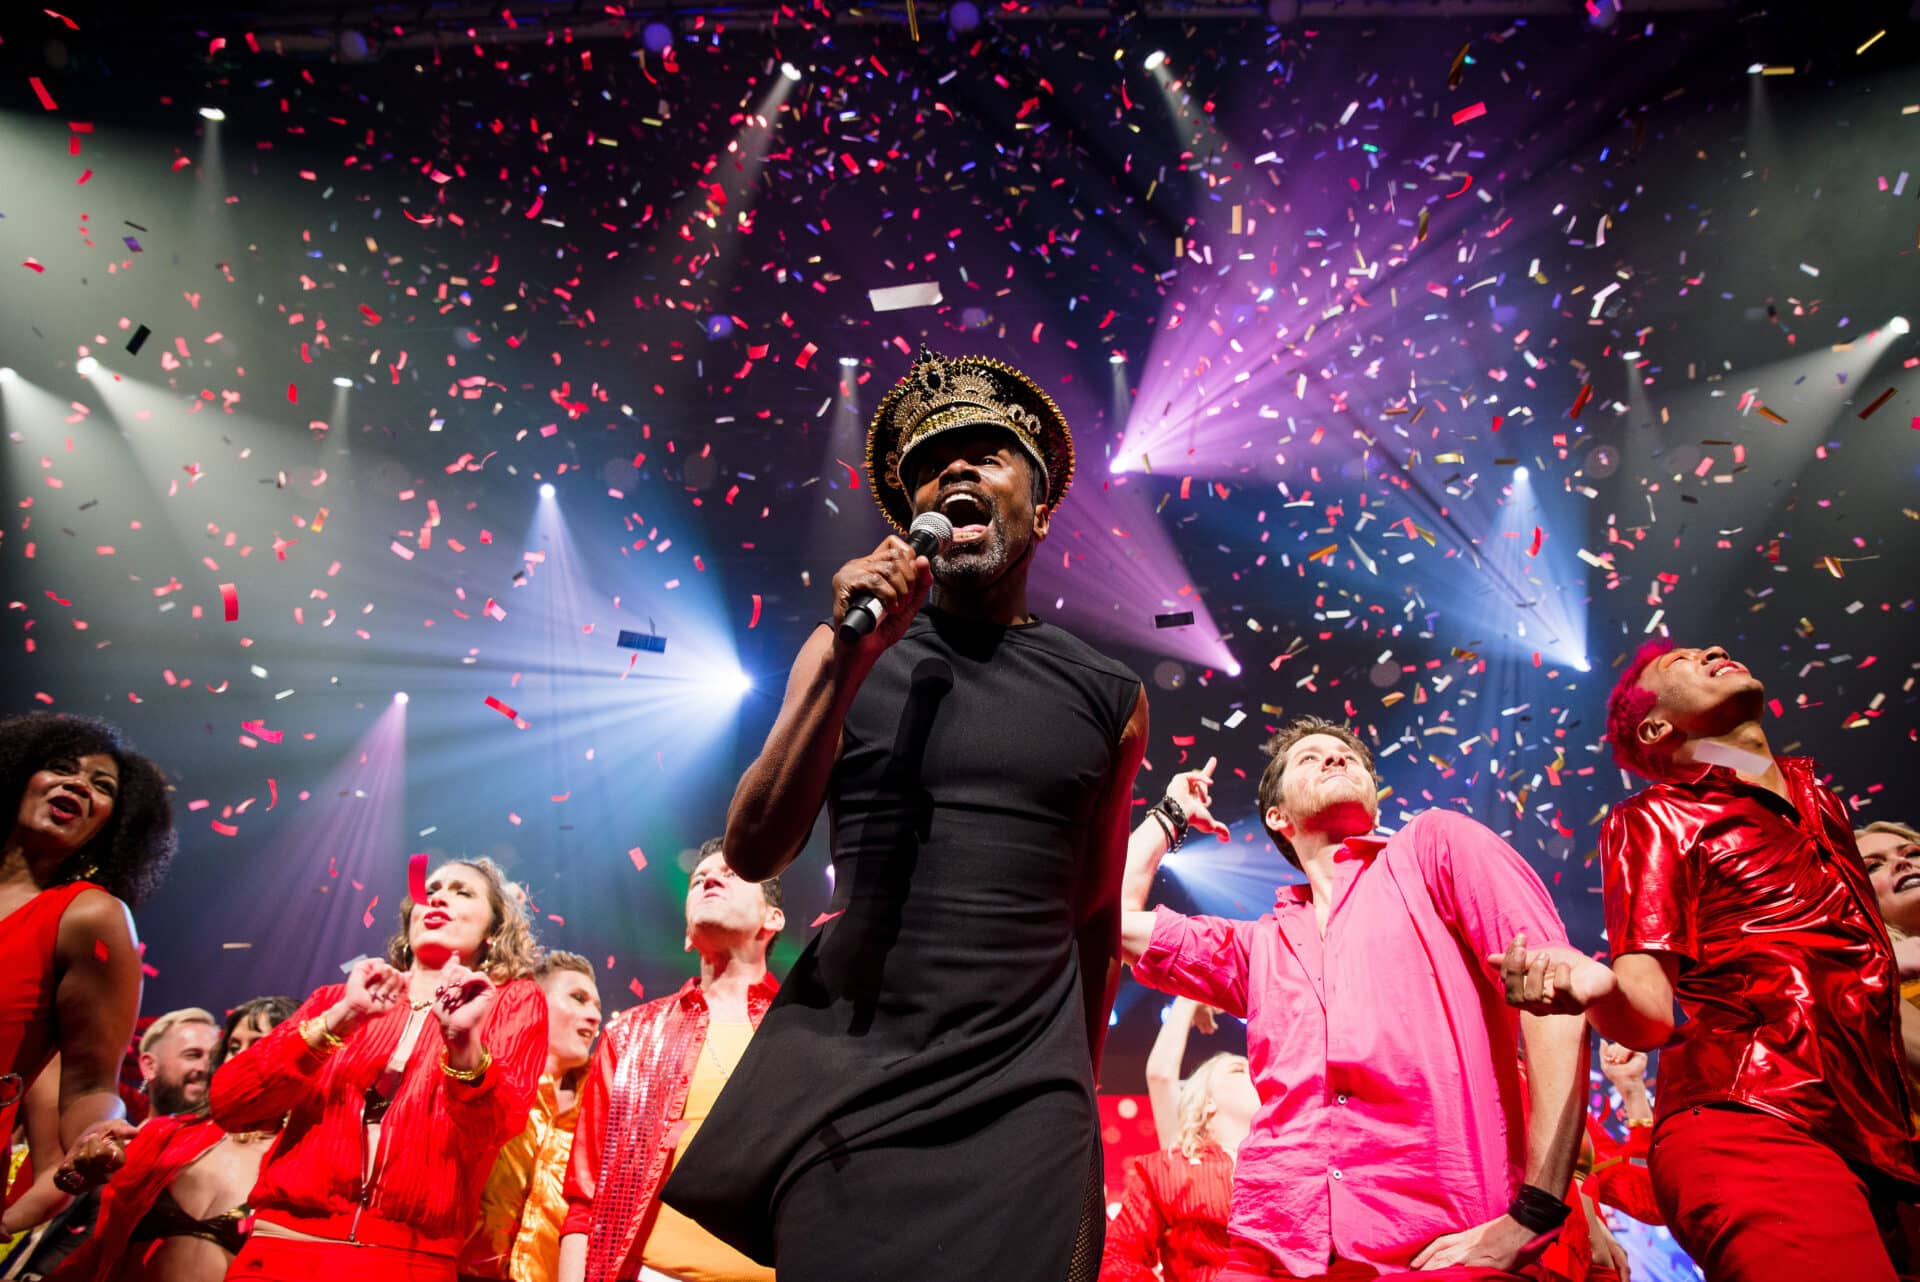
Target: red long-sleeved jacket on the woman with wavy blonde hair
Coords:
[(437, 1141)]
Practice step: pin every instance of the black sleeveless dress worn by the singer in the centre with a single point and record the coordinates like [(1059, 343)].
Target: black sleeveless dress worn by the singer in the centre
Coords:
[(919, 1104)]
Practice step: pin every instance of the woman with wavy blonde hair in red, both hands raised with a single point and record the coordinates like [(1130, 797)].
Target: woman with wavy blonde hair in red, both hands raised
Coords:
[(398, 1091)]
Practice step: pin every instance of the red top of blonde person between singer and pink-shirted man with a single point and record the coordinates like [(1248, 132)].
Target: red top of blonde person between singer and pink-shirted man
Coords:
[(1172, 1214)]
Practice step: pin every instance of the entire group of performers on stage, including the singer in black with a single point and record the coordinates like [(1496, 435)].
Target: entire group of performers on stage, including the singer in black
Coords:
[(915, 1101)]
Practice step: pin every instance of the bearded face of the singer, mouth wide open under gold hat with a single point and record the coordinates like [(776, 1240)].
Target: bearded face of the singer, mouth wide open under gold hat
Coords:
[(986, 485)]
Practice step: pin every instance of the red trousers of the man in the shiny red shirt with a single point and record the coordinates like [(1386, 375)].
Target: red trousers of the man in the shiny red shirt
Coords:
[(1754, 1199)]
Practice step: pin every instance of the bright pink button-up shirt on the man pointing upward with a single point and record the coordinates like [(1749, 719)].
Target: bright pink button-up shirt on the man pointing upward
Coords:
[(1391, 1108)]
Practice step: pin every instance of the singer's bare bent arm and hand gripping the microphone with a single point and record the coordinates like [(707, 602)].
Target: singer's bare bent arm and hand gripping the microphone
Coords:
[(780, 795)]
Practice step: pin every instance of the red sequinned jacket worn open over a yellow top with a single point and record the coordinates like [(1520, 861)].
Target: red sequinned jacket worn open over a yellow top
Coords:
[(646, 1058)]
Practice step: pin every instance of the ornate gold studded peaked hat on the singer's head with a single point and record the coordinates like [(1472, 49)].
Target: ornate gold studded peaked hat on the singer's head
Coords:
[(942, 394)]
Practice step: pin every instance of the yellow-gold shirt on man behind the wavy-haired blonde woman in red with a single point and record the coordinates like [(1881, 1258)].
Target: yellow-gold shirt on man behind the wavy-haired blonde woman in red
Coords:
[(525, 1199)]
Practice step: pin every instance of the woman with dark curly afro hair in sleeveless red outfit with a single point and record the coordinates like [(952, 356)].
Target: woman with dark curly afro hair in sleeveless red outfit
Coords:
[(91, 836)]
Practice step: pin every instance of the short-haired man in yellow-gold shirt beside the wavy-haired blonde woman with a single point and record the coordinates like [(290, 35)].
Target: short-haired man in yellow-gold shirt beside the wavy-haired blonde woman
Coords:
[(525, 1200)]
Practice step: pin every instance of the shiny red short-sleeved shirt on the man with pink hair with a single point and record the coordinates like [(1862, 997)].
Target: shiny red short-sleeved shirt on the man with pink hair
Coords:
[(1787, 972)]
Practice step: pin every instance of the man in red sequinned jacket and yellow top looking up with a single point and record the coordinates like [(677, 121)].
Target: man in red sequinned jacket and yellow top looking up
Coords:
[(650, 1085)]
